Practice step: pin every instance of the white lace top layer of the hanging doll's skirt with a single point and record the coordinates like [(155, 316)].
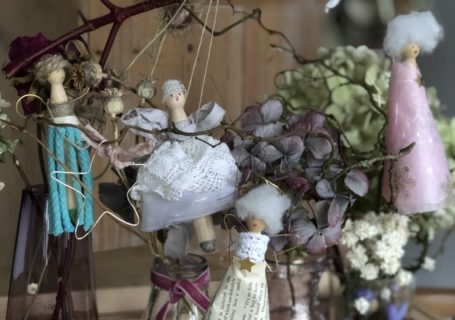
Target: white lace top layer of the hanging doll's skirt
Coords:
[(199, 164)]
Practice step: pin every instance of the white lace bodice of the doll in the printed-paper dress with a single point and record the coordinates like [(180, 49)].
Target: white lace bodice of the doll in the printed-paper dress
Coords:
[(252, 246)]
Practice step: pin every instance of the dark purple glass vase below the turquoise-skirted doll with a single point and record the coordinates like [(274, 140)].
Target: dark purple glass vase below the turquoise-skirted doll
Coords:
[(52, 277)]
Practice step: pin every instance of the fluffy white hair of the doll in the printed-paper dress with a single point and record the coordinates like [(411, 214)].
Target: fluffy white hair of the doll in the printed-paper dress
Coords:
[(266, 203)]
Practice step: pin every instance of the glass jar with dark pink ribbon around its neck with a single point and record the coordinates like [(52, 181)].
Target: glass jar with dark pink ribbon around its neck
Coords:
[(180, 305)]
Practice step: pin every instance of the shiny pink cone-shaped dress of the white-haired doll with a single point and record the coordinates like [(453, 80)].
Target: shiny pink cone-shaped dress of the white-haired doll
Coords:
[(420, 180)]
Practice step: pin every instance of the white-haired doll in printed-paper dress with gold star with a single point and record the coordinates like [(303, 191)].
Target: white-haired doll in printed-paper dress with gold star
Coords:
[(243, 291)]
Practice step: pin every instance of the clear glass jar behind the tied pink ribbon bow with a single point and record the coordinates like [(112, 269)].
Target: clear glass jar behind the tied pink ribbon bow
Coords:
[(184, 308)]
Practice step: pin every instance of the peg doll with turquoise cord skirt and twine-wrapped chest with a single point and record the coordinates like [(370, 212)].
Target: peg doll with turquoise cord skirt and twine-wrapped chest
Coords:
[(67, 208)]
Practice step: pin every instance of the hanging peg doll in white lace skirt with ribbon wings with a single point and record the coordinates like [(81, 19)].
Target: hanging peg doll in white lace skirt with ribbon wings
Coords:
[(187, 178)]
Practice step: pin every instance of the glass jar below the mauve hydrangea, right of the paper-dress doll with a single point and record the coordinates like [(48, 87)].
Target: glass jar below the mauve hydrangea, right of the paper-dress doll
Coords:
[(294, 289)]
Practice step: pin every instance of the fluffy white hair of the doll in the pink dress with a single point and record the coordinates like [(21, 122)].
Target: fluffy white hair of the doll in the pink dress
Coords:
[(417, 27)]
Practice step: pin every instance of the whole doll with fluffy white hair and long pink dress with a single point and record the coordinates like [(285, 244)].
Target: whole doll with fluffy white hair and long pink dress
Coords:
[(420, 180)]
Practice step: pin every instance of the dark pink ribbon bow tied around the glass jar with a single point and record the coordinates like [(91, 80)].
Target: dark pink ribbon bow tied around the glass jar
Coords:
[(180, 288)]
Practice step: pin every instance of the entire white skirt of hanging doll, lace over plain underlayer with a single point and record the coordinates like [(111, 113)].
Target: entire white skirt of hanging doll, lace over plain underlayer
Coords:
[(186, 179)]
